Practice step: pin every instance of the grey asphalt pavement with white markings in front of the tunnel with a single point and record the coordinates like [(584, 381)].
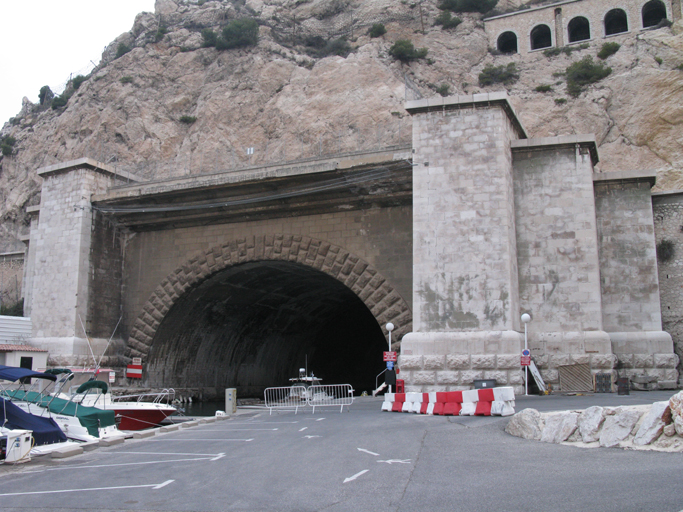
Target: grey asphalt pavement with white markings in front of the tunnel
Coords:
[(362, 460)]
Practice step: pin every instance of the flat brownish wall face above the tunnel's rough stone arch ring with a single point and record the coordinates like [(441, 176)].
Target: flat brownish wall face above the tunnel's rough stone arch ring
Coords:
[(382, 237)]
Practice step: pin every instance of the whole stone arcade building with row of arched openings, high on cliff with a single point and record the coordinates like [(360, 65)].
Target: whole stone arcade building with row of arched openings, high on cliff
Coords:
[(567, 22)]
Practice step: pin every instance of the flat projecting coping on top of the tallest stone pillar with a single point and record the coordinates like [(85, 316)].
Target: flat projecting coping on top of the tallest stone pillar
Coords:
[(462, 101)]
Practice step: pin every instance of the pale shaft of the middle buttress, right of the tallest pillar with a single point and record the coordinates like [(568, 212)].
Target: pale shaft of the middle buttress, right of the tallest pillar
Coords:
[(559, 277)]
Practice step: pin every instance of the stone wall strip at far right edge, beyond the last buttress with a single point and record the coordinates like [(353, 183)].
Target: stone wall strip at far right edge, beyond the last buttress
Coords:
[(668, 219)]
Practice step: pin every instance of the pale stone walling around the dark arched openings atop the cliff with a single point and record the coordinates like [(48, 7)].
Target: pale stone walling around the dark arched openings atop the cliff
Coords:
[(523, 22)]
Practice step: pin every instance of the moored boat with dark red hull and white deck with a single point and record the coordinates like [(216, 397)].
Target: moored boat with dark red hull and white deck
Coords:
[(132, 412)]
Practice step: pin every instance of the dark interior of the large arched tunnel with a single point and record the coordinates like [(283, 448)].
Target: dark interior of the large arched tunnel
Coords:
[(254, 325)]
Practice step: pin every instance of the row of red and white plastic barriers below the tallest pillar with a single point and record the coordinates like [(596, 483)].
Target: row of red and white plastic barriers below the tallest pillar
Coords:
[(472, 402)]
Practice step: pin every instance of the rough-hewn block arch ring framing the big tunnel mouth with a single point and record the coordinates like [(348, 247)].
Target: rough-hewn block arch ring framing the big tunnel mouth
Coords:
[(383, 301)]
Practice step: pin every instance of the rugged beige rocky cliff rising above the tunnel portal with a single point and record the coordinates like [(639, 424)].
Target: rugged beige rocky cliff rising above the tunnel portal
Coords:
[(171, 107)]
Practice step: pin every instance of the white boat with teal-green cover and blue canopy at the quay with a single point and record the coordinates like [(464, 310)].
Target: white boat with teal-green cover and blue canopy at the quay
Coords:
[(78, 422)]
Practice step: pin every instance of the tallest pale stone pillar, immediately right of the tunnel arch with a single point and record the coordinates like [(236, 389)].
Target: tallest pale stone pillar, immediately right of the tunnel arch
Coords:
[(465, 282)]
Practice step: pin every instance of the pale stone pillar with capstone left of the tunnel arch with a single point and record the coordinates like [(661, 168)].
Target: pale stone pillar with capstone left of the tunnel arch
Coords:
[(61, 251)]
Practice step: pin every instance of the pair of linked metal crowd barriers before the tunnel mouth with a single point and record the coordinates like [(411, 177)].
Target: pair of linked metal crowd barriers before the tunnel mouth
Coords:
[(294, 397)]
